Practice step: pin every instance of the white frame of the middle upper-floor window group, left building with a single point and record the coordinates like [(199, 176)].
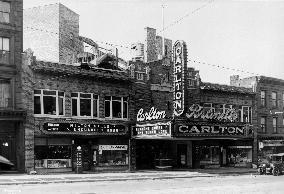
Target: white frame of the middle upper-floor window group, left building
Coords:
[(78, 98)]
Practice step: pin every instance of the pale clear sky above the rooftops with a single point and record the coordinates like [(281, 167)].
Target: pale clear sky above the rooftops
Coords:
[(223, 37)]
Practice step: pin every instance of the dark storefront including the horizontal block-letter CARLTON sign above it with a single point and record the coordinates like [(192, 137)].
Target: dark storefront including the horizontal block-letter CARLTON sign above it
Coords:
[(217, 144)]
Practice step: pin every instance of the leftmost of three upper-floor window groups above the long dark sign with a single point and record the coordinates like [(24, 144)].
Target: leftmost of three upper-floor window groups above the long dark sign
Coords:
[(49, 102)]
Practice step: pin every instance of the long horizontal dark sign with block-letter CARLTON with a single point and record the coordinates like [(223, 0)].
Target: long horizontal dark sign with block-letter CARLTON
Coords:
[(212, 130)]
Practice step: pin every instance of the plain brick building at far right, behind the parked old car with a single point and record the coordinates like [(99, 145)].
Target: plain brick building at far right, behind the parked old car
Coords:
[(270, 107)]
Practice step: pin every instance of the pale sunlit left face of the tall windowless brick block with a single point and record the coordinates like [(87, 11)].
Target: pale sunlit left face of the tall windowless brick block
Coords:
[(41, 31)]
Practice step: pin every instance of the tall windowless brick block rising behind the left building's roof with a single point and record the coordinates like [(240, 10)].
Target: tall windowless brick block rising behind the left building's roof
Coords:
[(53, 29)]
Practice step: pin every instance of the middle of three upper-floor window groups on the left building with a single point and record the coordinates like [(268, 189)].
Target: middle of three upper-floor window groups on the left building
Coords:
[(85, 104)]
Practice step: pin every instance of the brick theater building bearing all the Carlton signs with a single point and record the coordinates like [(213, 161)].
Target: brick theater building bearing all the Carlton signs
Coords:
[(190, 125)]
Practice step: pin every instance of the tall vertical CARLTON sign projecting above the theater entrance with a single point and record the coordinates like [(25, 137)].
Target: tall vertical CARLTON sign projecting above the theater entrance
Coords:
[(179, 67)]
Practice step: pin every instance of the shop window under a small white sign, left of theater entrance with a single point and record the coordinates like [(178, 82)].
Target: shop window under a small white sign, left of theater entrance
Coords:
[(112, 155)]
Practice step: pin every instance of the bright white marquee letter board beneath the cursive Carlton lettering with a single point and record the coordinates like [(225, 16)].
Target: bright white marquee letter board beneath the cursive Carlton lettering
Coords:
[(158, 129)]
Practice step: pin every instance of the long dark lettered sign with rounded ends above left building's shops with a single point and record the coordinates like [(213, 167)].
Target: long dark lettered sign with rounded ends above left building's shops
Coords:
[(90, 128)]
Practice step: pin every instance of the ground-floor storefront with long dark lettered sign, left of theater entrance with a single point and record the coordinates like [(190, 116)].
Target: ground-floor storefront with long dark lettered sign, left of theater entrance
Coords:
[(104, 147)]
